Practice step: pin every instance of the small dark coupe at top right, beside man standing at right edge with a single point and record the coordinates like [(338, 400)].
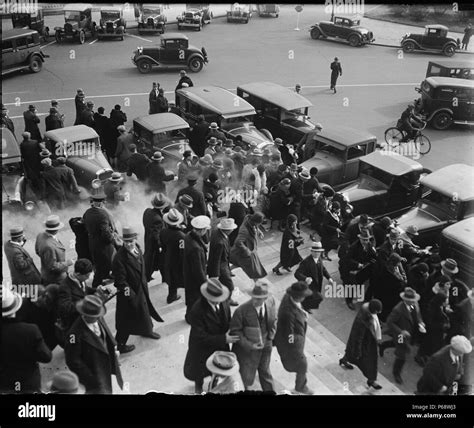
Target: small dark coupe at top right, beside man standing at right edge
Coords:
[(435, 39)]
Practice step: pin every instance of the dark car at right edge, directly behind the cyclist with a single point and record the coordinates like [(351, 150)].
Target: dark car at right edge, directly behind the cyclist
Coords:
[(446, 100)]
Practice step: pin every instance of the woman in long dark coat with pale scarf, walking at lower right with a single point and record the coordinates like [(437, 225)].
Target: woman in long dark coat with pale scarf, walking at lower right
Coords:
[(362, 345)]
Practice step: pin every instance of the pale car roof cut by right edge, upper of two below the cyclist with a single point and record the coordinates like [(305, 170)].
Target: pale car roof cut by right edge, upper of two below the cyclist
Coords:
[(452, 180)]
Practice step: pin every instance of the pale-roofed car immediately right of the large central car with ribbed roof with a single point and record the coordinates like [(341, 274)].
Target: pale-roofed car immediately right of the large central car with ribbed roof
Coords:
[(280, 110)]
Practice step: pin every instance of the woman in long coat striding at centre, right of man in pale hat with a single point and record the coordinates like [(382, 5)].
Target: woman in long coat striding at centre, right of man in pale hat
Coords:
[(244, 251)]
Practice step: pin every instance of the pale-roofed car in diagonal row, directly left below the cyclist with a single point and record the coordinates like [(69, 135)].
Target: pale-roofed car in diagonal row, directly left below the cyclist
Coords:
[(338, 154)]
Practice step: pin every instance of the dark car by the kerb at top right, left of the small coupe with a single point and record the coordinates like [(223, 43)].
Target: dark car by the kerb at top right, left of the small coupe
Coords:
[(343, 28)]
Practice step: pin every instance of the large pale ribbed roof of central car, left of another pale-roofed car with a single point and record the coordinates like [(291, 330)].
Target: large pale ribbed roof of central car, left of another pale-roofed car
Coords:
[(218, 100)]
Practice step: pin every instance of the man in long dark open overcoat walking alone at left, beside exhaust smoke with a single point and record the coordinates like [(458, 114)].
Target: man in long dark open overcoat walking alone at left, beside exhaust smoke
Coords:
[(134, 308)]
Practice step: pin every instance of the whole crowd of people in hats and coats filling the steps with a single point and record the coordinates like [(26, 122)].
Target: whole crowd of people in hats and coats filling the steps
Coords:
[(227, 192)]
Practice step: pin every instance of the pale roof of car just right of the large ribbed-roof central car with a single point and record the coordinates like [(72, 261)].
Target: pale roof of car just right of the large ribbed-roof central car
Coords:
[(277, 94)]
